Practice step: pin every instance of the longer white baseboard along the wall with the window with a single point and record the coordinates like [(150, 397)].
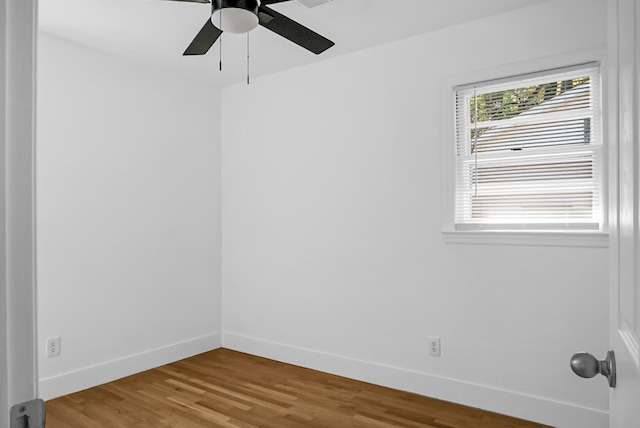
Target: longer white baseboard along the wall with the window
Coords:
[(537, 409)]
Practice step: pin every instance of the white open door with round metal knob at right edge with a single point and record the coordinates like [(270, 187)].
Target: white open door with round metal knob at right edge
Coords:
[(624, 109)]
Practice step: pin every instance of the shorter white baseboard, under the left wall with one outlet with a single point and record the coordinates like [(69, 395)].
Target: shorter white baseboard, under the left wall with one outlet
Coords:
[(99, 374)]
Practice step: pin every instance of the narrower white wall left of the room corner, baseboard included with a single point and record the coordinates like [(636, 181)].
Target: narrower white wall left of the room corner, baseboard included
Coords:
[(128, 217)]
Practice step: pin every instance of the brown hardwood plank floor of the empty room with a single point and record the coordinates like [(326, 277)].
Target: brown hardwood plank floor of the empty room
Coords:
[(224, 388)]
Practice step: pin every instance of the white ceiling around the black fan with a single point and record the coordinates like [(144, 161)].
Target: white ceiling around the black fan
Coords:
[(156, 32)]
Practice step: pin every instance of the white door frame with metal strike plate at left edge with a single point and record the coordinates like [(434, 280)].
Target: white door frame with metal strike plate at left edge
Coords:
[(18, 357)]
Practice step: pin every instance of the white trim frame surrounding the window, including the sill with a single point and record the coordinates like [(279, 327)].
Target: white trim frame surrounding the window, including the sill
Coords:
[(596, 238)]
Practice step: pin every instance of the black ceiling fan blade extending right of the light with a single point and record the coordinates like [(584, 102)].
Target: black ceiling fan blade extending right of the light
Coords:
[(290, 29)]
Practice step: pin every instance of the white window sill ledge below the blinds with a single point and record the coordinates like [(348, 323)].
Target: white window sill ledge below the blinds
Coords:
[(533, 238)]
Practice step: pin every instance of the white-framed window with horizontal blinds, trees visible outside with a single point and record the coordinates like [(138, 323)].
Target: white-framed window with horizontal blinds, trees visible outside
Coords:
[(529, 152)]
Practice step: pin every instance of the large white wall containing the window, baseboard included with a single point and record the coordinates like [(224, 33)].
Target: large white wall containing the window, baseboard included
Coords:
[(333, 253)]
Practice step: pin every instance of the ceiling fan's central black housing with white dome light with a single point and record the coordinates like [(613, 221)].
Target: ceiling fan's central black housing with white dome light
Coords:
[(235, 16)]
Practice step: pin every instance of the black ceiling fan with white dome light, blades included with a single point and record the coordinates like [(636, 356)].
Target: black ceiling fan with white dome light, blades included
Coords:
[(242, 16)]
